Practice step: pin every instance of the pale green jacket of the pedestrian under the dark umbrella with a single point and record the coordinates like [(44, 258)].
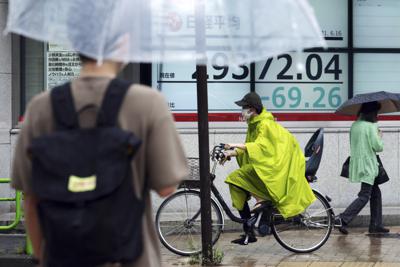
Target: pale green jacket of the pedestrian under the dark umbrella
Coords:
[(364, 143)]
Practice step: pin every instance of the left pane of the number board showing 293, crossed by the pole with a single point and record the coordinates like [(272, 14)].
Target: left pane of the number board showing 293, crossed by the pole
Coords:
[(225, 84)]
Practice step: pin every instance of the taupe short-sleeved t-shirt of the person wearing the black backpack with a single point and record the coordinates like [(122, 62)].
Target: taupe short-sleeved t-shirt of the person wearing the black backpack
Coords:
[(144, 112)]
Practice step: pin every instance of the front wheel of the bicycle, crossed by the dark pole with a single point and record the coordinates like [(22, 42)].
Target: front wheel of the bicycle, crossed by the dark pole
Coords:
[(178, 222)]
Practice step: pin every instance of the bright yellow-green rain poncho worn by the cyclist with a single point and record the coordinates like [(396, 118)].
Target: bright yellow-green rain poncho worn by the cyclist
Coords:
[(279, 162)]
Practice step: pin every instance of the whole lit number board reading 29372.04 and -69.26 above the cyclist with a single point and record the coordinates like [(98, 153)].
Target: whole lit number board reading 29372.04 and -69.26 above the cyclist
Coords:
[(321, 86)]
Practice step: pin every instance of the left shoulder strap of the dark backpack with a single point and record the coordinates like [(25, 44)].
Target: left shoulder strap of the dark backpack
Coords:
[(63, 106)]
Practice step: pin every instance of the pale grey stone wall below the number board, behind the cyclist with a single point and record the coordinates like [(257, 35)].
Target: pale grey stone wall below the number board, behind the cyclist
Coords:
[(336, 150)]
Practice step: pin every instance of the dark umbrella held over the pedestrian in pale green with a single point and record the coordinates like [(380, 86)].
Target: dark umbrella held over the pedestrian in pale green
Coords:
[(390, 102)]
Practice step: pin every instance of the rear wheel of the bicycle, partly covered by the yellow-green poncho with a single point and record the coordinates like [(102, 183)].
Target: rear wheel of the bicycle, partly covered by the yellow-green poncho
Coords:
[(305, 232)]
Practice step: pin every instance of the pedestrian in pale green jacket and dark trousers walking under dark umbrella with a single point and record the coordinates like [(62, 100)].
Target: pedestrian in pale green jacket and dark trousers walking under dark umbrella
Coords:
[(365, 142)]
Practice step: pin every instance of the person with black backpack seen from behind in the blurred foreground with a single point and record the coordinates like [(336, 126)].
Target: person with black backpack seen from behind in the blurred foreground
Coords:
[(158, 164)]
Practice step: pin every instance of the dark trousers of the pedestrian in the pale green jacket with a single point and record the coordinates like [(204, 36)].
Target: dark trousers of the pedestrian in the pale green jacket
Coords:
[(367, 193)]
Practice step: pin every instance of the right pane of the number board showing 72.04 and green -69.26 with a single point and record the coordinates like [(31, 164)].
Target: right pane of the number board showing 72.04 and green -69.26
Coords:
[(322, 86)]
